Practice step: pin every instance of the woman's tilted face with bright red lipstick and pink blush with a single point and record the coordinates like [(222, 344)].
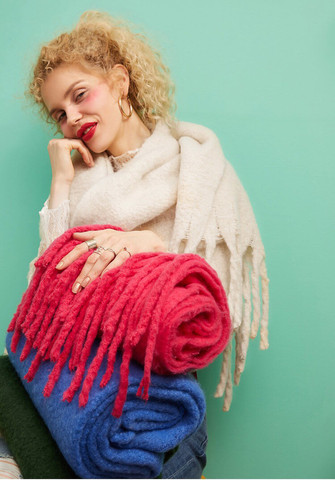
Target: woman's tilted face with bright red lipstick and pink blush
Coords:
[(85, 106)]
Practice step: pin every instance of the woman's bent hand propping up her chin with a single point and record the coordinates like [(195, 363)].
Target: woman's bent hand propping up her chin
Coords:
[(60, 158)]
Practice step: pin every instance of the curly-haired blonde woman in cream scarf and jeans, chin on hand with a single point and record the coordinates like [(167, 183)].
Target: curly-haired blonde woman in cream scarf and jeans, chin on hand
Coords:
[(165, 183)]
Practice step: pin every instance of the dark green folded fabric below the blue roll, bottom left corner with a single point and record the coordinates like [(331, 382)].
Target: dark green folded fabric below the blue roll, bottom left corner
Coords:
[(26, 434)]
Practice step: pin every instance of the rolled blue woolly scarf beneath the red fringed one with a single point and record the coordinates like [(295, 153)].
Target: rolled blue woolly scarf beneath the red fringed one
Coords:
[(98, 445)]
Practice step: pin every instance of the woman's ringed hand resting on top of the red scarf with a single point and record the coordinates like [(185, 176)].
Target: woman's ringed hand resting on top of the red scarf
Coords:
[(116, 248)]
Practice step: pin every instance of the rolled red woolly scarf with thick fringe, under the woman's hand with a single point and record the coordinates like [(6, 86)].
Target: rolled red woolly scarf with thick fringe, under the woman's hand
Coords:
[(167, 311)]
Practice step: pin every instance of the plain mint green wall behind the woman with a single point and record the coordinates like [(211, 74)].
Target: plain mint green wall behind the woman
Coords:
[(261, 74)]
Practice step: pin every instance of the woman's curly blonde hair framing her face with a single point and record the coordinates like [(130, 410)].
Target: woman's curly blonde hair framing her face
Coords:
[(99, 42)]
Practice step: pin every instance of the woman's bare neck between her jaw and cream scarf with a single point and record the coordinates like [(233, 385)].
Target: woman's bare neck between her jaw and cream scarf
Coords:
[(132, 135)]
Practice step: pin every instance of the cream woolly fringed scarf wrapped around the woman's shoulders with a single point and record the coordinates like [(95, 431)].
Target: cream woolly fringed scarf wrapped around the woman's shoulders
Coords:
[(187, 170)]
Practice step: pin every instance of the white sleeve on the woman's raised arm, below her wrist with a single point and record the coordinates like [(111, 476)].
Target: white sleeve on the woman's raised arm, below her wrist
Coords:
[(53, 223)]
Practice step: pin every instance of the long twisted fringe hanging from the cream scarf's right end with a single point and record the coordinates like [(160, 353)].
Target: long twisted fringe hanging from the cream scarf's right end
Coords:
[(243, 291)]
